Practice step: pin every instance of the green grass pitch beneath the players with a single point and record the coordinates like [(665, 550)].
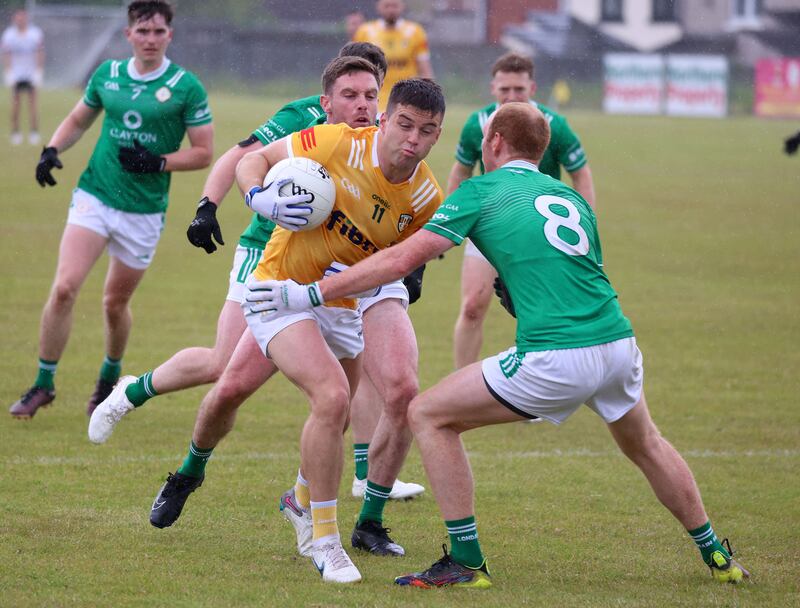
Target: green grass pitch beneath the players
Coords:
[(700, 227)]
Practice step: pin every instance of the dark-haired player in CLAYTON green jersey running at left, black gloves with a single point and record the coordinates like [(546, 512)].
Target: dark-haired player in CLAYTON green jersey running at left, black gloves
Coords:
[(119, 204)]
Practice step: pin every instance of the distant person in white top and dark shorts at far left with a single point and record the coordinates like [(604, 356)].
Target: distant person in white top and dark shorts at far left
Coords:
[(23, 64)]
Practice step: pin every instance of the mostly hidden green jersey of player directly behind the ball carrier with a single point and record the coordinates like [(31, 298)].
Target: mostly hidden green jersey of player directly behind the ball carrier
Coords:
[(292, 117)]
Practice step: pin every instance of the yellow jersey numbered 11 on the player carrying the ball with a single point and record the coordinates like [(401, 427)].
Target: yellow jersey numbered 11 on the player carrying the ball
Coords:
[(370, 213)]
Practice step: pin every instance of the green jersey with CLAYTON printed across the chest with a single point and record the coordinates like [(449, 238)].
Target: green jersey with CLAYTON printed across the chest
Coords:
[(154, 110)]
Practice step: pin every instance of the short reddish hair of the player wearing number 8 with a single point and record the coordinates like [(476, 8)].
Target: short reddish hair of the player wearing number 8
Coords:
[(524, 128)]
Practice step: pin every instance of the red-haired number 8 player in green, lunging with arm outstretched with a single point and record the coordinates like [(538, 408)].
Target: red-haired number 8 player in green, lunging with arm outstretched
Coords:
[(573, 346)]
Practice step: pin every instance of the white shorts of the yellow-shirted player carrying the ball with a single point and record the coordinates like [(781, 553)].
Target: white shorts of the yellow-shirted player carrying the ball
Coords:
[(340, 327)]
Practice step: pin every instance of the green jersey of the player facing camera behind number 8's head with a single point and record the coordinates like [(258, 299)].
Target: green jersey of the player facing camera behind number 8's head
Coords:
[(564, 150)]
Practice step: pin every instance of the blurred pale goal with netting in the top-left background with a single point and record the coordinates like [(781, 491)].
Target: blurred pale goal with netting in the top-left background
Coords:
[(78, 35)]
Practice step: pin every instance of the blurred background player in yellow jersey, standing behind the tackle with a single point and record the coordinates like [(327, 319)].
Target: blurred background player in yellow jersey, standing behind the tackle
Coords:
[(404, 43)]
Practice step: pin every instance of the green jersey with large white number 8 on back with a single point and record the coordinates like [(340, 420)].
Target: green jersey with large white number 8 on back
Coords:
[(541, 236)]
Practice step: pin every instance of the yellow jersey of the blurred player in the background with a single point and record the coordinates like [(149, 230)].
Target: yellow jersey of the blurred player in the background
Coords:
[(403, 45)]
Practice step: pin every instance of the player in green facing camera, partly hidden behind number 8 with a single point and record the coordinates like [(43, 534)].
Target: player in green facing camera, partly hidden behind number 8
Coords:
[(512, 80)]
